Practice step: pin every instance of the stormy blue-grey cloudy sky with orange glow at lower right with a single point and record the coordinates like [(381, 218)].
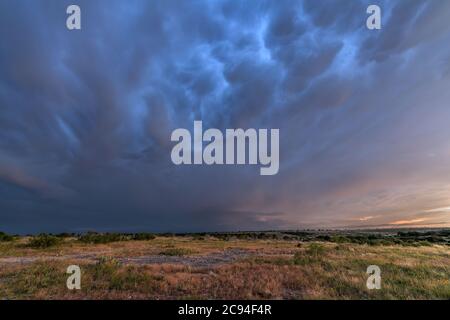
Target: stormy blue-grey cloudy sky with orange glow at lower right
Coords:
[(86, 115)]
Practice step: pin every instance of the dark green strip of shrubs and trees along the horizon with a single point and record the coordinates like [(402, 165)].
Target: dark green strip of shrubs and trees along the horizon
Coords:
[(409, 238)]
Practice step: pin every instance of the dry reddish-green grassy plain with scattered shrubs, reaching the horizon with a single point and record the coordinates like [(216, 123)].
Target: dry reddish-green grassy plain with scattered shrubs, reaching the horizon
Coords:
[(270, 265)]
